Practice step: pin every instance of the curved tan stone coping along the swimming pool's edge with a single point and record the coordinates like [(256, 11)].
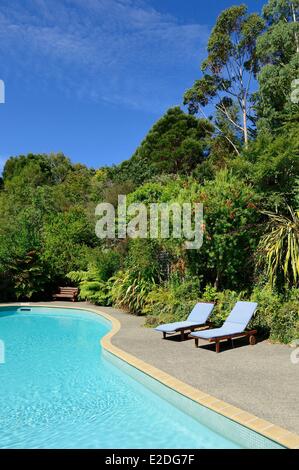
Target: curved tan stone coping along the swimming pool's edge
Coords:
[(260, 426)]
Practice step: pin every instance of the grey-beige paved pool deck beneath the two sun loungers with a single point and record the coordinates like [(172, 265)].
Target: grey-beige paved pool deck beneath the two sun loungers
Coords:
[(259, 379)]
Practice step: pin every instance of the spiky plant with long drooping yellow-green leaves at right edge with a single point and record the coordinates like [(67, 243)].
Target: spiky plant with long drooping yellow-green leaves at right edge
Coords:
[(279, 248)]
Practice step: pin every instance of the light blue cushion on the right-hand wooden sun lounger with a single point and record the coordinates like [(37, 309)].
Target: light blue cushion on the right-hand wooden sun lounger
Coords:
[(235, 323)]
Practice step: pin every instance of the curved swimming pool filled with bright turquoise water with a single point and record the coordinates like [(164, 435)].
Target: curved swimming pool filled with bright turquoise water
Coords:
[(59, 389)]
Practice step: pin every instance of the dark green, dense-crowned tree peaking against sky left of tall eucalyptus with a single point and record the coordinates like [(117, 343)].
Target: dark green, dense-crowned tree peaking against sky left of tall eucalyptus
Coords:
[(177, 143)]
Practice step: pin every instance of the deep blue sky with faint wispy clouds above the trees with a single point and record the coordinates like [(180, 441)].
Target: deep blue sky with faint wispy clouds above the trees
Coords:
[(90, 77)]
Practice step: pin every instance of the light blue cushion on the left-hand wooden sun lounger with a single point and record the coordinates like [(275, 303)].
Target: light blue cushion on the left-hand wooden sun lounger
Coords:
[(197, 317)]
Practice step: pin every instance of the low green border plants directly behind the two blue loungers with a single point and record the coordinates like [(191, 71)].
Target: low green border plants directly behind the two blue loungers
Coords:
[(276, 316)]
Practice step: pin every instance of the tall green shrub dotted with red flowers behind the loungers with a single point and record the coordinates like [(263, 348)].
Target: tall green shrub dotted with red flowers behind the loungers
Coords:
[(231, 222)]
